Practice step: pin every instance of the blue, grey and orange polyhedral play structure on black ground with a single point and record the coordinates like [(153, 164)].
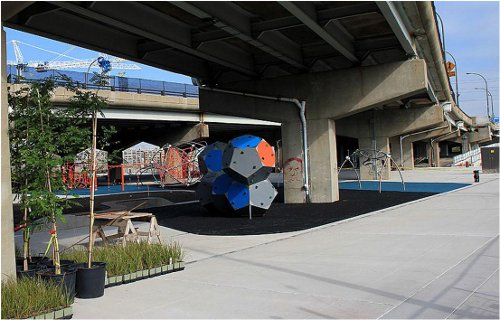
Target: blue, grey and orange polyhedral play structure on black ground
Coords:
[(236, 176)]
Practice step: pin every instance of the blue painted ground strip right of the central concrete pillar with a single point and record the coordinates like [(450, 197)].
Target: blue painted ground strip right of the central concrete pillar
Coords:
[(397, 186)]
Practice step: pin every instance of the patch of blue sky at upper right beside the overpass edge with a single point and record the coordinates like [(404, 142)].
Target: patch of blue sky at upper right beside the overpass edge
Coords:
[(472, 36)]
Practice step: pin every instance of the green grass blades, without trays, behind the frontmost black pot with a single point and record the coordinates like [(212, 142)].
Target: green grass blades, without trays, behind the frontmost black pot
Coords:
[(131, 258)]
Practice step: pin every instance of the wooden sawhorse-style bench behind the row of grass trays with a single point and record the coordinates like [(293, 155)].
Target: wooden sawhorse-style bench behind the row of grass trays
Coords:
[(126, 230)]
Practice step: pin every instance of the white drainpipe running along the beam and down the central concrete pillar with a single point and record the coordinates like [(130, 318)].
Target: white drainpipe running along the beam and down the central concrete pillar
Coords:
[(301, 105)]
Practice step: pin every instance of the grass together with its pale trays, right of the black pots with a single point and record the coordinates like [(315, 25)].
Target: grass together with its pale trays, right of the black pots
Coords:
[(133, 262)]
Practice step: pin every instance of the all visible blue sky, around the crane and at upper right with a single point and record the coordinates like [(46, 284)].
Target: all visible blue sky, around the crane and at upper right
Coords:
[(471, 30)]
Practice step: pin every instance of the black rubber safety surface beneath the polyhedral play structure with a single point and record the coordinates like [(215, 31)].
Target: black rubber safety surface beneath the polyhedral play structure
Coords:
[(280, 217)]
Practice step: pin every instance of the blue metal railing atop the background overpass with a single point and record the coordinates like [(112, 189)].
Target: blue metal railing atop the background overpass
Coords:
[(17, 74)]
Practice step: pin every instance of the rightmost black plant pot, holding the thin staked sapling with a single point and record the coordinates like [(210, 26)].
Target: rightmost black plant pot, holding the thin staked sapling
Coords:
[(90, 281)]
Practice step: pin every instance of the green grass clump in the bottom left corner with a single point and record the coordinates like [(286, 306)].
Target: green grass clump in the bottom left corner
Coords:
[(31, 296)]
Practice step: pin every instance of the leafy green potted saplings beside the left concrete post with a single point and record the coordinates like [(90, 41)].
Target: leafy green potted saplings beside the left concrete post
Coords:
[(42, 139)]
